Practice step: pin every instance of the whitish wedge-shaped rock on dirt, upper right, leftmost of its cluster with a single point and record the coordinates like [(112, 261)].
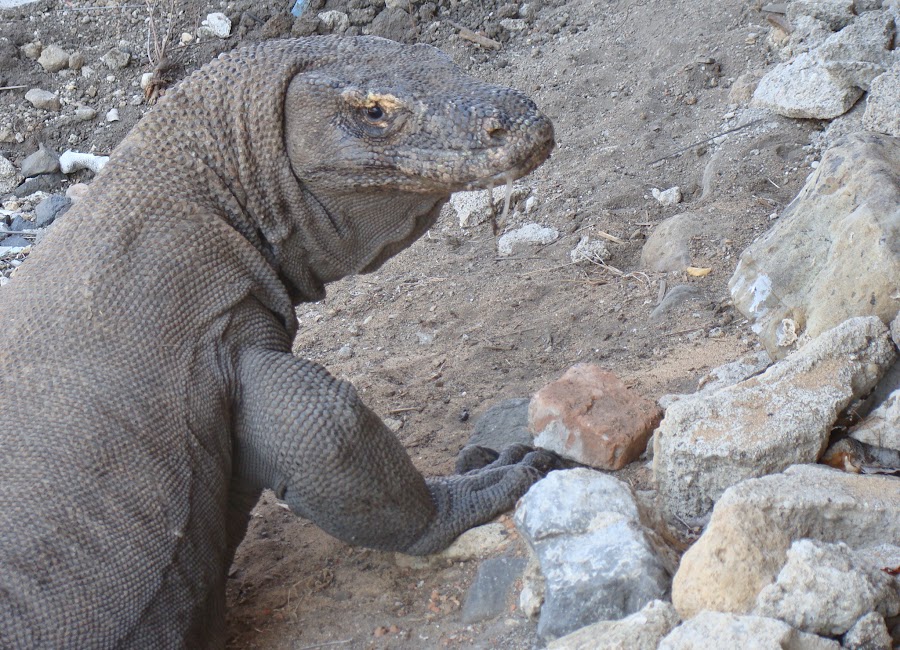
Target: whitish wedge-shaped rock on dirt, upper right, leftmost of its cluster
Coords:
[(803, 88)]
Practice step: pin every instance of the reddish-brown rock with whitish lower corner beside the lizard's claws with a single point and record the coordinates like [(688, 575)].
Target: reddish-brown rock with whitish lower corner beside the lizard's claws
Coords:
[(589, 416)]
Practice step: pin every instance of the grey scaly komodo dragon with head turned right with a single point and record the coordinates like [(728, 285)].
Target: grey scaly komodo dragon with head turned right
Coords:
[(148, 389)]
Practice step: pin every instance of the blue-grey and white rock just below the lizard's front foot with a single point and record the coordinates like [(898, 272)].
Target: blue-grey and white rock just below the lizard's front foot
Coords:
[(596, 561)]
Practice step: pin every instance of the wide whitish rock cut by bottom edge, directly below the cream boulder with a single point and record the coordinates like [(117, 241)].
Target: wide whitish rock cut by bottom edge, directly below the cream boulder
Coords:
[(717, 630)]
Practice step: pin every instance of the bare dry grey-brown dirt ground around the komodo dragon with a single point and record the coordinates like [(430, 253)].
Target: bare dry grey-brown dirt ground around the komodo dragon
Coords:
[(449, 327)]
